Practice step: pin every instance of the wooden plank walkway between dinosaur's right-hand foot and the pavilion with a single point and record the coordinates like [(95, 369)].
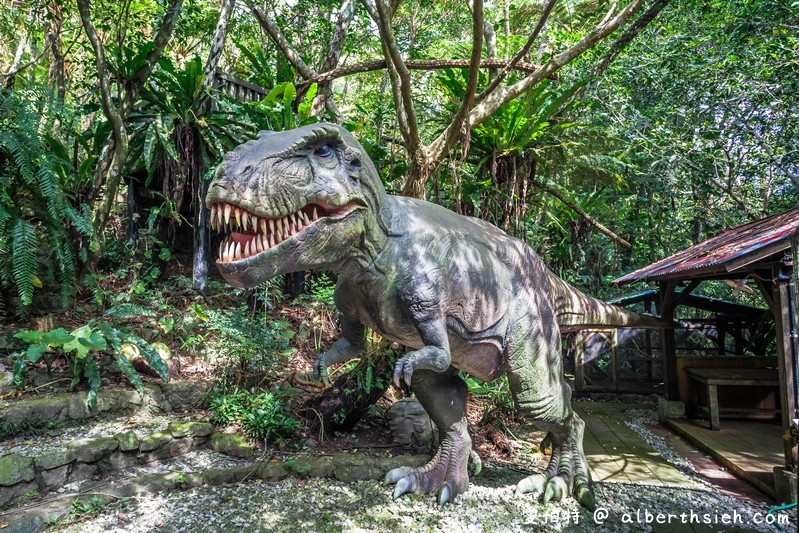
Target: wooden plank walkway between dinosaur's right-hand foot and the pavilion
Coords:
[(616, 454)]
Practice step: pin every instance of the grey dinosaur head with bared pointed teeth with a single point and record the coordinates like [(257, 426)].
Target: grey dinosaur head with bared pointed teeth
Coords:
[(302, 199)]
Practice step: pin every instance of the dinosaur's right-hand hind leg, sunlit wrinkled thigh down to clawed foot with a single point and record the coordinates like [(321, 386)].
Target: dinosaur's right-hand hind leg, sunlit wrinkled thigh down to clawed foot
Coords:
[(543, 397)]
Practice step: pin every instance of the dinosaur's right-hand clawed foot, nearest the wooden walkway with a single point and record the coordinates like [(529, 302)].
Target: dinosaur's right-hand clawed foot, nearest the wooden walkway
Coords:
[(567, 470)]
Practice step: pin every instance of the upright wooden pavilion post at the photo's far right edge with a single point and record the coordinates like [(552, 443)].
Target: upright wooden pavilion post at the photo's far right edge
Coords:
[(785, 321)]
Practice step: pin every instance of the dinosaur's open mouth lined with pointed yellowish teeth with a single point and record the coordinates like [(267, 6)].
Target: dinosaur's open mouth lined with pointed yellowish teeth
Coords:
[(250, 234)]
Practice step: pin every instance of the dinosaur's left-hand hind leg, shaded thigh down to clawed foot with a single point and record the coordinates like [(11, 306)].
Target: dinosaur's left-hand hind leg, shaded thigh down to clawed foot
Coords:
[(443, 396)]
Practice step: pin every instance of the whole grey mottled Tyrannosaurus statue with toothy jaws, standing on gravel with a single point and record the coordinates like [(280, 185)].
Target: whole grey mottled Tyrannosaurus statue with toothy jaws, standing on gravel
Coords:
[(459, 292)]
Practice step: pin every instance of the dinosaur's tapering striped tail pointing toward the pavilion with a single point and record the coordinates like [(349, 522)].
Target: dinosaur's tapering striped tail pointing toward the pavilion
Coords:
[(576, 310)]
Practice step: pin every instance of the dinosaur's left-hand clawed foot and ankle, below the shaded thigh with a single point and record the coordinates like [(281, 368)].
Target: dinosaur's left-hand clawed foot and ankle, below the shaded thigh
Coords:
[(446, 473)]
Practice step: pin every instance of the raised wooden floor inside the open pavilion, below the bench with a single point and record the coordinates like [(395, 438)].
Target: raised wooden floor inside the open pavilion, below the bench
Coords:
[(749, 449)]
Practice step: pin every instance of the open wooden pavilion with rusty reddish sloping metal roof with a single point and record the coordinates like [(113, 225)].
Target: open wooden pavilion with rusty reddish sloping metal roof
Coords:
[(765, 252)]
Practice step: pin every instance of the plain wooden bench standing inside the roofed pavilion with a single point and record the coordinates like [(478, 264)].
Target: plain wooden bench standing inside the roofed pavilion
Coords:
[(713, 377)]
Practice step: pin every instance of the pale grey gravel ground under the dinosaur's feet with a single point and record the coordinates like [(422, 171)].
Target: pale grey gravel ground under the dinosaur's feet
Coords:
[(489, 505)]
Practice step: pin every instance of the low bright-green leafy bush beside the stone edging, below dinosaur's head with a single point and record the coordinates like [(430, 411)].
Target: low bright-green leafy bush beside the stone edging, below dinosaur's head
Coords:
[(261, 414)]
